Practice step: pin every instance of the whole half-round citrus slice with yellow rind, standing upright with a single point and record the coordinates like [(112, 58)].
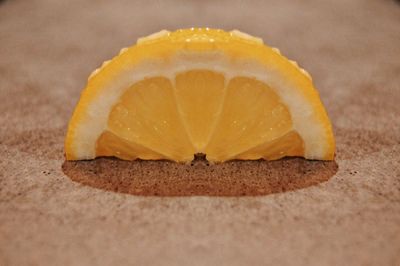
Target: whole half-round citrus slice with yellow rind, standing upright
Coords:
[(224, 94)]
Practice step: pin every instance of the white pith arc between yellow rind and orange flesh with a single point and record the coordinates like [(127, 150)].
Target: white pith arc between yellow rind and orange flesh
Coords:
[(89, 130)]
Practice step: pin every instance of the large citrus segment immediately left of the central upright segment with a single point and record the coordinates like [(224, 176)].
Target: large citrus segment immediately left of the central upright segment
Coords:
[(147, 114)]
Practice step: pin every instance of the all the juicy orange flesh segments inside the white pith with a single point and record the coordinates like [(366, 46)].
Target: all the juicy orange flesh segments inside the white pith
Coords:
[(200, 111)]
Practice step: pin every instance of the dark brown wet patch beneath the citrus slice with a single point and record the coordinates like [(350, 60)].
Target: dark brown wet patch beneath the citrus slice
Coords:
[(166, 178)]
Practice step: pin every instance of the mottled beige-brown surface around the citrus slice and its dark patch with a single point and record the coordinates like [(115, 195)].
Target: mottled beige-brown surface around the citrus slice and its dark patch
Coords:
[(47, 50)]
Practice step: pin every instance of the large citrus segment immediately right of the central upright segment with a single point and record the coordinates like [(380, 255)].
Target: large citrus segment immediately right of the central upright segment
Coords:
[(252, 114)]
